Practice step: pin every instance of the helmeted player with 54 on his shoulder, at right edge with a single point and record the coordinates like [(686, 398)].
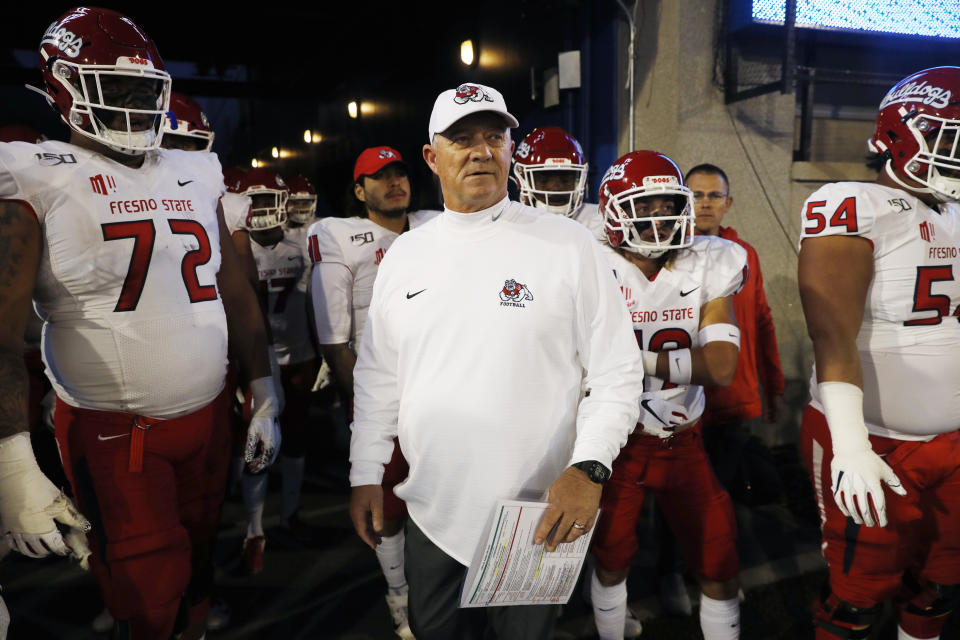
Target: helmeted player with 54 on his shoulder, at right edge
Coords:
[(877, 275)]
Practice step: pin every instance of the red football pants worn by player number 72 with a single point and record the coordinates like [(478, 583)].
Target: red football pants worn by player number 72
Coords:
[(145, 521)]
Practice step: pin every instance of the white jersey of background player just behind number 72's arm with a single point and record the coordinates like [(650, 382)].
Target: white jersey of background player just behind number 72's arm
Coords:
[(284, 270)]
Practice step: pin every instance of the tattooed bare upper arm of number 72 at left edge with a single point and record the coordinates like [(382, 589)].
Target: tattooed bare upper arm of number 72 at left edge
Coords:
[(19, 259)]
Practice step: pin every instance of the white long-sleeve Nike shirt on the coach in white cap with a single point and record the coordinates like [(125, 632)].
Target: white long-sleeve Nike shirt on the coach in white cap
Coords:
[(479, 330)]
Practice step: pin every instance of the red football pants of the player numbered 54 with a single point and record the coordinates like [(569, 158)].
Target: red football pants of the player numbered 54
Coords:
[(923, 531)]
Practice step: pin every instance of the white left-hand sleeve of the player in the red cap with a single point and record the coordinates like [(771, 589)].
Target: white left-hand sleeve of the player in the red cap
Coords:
[(331, 285)]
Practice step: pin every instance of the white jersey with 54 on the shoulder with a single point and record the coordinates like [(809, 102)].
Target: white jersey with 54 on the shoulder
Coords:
[(910, 331)]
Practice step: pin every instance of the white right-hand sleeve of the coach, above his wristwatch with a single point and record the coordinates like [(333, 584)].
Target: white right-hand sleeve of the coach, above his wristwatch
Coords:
[(609, 353)]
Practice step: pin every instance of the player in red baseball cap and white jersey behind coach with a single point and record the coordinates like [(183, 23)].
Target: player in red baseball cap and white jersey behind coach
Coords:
[(346, 253)]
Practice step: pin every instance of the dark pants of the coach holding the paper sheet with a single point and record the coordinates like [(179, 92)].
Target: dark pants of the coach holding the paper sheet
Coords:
[(436, 580)]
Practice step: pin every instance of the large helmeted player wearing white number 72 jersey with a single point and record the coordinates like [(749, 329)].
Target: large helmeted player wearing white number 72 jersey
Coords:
[(120, 245)]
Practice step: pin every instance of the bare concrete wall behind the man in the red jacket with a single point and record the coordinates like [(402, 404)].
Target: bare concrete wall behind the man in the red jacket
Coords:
[(680, 111)]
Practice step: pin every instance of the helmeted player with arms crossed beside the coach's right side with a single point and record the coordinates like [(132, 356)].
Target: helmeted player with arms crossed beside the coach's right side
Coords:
[(677, 289)]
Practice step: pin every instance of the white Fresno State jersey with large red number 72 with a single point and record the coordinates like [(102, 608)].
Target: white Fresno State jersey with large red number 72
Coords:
[(127, 278)]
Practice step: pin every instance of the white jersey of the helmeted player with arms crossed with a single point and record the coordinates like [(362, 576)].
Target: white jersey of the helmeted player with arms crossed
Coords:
[(666, 310)]
